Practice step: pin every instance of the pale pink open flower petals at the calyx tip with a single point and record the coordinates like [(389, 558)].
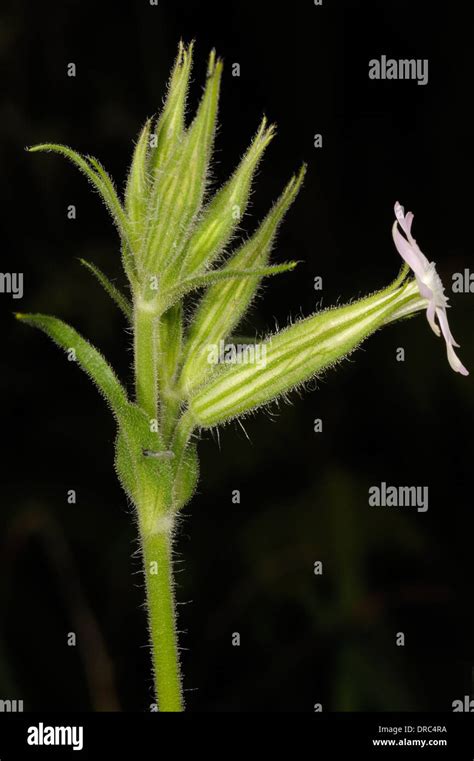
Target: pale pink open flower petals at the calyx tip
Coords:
[(428, 281)]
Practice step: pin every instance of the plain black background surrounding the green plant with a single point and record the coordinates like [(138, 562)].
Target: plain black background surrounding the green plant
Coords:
[(244, 568)]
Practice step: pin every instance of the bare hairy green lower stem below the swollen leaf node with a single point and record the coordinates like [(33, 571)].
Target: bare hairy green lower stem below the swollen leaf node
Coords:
[(162, 619)]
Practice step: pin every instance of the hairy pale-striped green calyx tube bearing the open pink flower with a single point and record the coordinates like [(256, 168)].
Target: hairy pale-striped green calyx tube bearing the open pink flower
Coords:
[(295, 355)]
